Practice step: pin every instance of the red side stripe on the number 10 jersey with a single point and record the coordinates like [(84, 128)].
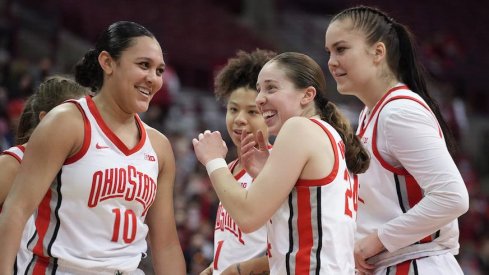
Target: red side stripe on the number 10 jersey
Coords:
[(42, 223)]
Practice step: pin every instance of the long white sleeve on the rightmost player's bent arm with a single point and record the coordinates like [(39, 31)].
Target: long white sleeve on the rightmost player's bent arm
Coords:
[(413, 138)]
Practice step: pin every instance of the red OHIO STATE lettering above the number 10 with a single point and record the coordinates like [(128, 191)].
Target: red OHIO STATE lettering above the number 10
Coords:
[(126, 183)]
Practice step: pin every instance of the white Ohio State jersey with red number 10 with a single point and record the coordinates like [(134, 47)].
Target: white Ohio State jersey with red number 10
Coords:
[(92, 217)]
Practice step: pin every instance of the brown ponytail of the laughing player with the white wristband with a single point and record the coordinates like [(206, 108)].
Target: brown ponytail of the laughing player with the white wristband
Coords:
[(357, 157)]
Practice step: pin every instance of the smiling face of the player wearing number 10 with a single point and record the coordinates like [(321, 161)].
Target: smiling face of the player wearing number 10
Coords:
[(137, 75)]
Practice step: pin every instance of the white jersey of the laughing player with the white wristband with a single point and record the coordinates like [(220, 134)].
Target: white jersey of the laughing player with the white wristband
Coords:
[(313, 231)]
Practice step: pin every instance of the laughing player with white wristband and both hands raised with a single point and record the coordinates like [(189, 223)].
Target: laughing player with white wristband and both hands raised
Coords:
[(304, 193)]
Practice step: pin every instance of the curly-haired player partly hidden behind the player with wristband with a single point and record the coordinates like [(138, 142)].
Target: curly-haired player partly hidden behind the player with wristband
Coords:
[(235, 85)]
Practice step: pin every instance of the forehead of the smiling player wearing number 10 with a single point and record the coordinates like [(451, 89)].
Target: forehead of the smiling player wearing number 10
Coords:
[(145, 47)]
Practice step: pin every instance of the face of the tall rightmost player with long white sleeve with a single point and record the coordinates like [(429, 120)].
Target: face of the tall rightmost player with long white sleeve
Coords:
[(351, 61)]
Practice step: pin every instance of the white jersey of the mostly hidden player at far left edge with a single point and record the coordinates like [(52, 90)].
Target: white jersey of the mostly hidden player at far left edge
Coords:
[(24, 254)]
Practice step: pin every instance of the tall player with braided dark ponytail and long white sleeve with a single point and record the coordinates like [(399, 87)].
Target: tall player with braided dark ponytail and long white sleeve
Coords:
[(412, 193)]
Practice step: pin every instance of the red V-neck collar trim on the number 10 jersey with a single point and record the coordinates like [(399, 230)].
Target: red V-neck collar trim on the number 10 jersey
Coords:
[(113, 137)]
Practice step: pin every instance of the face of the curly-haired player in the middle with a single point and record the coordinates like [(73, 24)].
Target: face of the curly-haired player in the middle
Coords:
[(243, 115)]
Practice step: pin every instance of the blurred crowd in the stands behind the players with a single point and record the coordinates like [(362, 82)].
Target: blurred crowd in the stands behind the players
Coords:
[(182, 112)]
